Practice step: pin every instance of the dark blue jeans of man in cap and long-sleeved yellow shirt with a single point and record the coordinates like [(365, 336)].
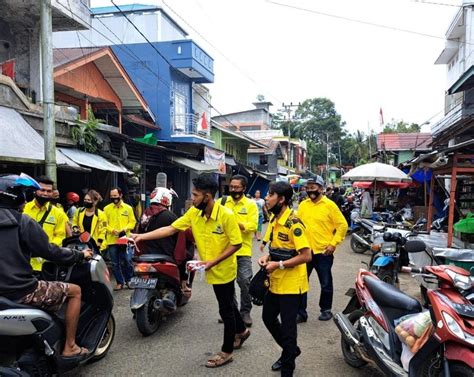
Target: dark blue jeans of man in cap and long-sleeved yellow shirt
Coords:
[(322, 264)]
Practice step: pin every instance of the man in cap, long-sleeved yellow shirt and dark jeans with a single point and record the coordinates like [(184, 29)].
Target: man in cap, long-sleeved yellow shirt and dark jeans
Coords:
[(326, 227)]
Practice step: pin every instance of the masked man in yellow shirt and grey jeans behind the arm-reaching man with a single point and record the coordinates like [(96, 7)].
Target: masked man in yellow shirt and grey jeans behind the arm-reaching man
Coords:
[(246, 213)]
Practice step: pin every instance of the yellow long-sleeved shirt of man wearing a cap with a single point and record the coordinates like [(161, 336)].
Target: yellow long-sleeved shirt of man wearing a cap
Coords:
[(324, 222)]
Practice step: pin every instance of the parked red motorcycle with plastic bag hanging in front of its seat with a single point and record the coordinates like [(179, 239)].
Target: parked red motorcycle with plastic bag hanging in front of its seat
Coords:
[(368, 329)]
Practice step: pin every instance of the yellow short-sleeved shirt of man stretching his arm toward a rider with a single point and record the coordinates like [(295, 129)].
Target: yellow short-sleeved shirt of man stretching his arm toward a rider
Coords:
[(212, 236)]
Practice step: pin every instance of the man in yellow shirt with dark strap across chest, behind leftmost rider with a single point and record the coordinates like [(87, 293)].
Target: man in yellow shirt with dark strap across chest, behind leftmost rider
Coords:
[(51, 218)]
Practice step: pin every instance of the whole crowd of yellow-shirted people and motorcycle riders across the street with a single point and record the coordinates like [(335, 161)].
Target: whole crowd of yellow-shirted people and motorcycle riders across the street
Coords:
[(222, 230)]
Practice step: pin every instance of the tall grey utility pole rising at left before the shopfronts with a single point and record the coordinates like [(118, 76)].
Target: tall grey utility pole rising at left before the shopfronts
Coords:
[(49, 129)]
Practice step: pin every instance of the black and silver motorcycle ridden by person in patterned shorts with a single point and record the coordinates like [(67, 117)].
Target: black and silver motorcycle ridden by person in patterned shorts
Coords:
[(34, 338)]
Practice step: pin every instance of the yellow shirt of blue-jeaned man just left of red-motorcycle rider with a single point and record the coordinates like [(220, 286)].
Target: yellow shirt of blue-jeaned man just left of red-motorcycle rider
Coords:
[(118, 218)]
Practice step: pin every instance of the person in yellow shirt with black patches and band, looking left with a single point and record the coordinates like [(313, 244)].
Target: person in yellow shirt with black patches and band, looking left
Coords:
[(286, 264)]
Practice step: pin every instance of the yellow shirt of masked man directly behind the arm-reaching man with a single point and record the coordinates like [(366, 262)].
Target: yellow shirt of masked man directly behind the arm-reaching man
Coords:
[(246, 212)]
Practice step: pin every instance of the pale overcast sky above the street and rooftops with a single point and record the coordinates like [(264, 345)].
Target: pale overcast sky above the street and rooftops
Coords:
[(363, 55)]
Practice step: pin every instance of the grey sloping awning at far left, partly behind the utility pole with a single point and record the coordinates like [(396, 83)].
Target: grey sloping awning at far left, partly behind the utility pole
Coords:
[(21, 143)]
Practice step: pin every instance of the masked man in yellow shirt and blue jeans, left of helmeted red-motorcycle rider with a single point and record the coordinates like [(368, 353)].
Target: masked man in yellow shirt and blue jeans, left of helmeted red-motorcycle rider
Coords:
[(120, 221)]
